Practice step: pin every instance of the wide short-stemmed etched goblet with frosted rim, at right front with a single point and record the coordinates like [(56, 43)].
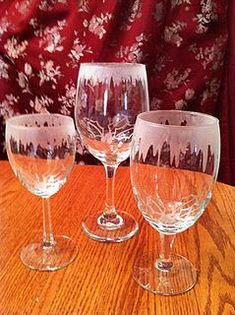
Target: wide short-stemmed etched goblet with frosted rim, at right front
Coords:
[(174, 164)]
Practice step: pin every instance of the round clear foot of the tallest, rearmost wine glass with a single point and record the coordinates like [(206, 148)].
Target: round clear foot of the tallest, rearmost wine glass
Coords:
[(98, 232)]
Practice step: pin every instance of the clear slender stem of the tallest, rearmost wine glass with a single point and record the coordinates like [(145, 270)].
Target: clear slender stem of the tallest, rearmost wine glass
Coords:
[(110, 172)]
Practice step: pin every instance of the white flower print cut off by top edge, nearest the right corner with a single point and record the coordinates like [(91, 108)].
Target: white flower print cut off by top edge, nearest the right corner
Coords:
[(208, 14)]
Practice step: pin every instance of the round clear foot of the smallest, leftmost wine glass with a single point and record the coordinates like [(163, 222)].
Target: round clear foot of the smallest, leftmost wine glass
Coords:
[(38, 257)]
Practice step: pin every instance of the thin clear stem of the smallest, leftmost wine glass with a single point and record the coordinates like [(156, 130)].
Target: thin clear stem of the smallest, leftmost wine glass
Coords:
[(48, 238)]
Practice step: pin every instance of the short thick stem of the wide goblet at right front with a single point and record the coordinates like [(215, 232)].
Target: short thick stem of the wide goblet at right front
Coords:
[(164, 262)]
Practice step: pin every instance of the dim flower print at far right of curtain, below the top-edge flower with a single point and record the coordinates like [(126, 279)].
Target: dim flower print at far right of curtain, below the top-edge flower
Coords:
[(213, 56)]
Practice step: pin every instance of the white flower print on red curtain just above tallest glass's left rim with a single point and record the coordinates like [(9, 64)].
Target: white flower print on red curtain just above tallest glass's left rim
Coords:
[(77, 51)]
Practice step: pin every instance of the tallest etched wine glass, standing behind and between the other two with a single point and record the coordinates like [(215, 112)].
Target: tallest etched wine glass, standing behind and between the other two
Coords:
[(109, 98)]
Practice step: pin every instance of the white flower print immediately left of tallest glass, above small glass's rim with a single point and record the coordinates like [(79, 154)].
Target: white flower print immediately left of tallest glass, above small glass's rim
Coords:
[(68, 100)]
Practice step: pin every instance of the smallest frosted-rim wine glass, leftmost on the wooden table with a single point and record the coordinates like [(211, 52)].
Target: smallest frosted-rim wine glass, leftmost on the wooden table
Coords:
[(41, 151)]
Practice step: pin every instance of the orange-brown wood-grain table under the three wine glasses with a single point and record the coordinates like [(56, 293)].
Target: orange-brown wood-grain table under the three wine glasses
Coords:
[(100, 281)]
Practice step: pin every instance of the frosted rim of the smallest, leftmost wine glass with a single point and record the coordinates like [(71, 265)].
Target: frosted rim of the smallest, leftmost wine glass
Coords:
[(13, 120)]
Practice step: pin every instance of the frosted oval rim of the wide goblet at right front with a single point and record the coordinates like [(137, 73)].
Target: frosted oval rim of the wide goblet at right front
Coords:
[(144, 117)]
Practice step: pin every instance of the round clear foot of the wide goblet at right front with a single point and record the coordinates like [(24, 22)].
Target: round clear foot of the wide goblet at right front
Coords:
[(181, 278)]
